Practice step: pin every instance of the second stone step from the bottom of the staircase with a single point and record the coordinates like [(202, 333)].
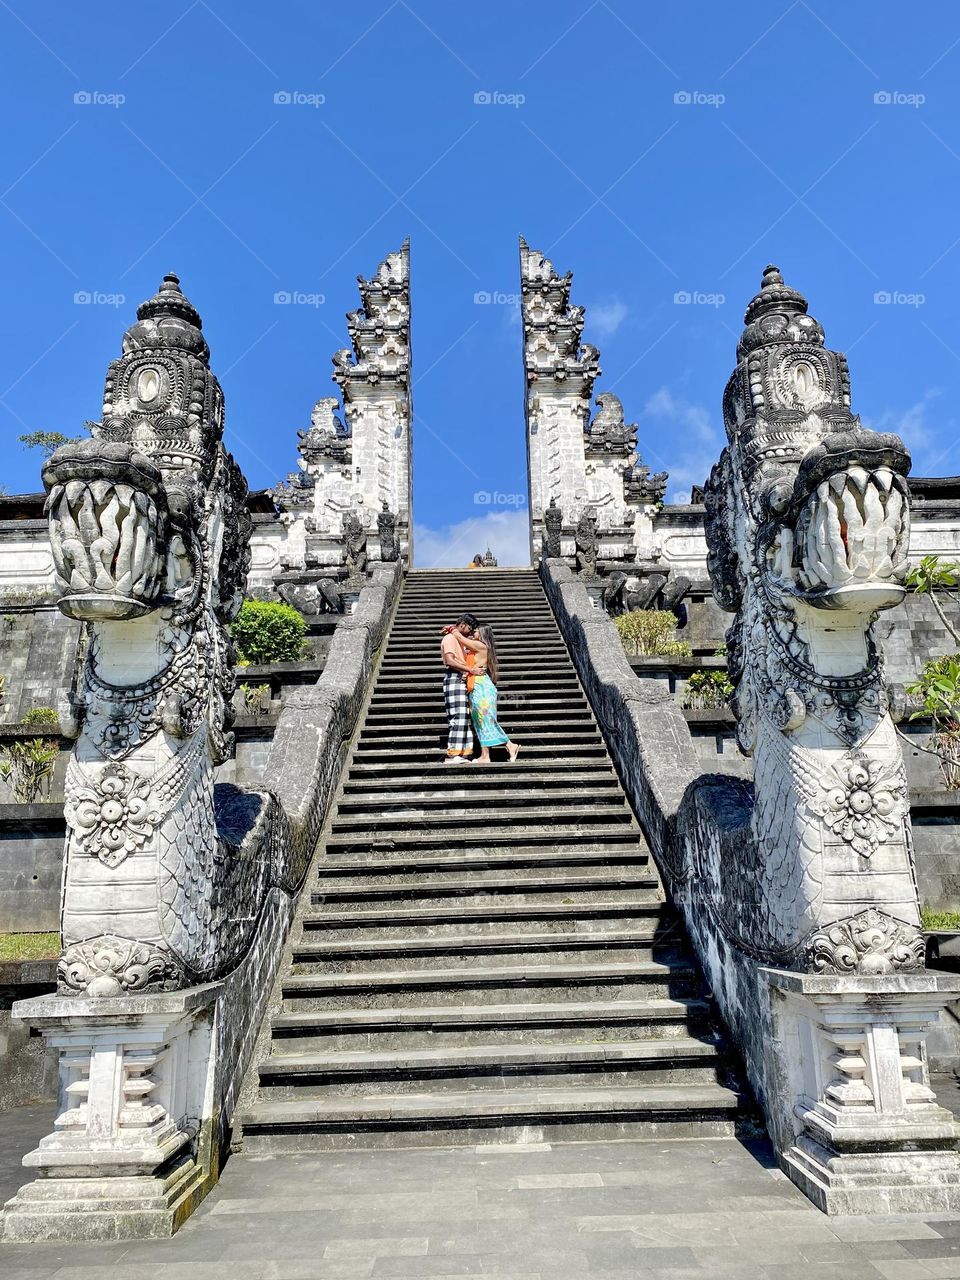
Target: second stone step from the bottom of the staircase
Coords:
[(559, 1066)]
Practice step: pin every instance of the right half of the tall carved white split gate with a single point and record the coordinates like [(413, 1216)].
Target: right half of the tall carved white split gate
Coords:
[(577, 464)]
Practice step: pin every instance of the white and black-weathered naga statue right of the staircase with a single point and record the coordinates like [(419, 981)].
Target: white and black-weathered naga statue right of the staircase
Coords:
[(808, 529)]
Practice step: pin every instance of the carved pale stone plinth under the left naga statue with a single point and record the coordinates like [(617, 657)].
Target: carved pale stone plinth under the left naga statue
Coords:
[(130, 1156)]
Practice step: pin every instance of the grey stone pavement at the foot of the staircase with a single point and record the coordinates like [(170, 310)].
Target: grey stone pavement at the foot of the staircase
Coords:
[(605, 1212)]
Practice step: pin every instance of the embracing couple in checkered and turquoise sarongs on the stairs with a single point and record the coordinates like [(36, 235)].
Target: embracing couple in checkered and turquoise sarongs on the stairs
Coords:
[(469, 656)]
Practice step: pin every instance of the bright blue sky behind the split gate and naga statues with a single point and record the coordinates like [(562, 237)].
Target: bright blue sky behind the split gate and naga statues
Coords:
[(653, 149)]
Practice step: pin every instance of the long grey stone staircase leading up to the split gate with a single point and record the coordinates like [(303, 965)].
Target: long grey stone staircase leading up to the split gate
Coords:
[(484, 953)]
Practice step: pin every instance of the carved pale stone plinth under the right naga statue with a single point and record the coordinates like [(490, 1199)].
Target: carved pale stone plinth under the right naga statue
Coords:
[(868, 1133)]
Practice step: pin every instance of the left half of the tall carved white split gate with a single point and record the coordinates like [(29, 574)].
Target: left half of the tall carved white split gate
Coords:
[(362, 464)]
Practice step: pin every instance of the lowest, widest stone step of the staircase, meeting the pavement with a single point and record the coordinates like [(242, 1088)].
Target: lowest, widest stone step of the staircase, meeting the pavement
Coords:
[(502, 1116)]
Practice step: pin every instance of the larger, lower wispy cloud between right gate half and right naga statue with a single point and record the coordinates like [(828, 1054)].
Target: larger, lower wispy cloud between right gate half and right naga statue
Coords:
[(680, 437)]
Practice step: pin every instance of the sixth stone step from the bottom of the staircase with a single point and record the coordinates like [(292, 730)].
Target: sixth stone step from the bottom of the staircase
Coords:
[(484, 920)]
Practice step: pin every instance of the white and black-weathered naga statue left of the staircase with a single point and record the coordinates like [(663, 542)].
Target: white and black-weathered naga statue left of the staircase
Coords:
[(164, 874)]
